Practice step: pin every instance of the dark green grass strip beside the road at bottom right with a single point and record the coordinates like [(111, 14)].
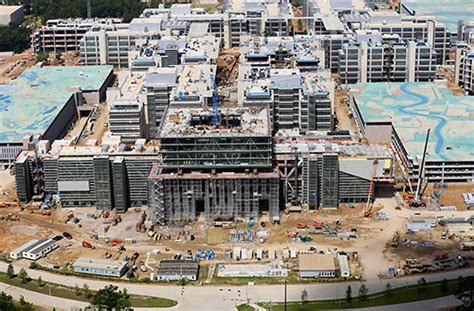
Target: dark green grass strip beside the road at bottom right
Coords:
[(396, 296)]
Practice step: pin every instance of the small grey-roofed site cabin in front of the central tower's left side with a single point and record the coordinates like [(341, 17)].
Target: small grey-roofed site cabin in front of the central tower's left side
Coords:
[(175, 270)]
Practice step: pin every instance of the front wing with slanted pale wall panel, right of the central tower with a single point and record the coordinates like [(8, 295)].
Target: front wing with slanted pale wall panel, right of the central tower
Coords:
[(325, 174)]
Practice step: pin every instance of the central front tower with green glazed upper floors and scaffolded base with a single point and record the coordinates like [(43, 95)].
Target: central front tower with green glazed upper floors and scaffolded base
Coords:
[(220, 170)]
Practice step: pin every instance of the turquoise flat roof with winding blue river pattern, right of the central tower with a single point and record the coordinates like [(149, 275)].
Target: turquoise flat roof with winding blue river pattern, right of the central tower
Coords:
[(412, 108)]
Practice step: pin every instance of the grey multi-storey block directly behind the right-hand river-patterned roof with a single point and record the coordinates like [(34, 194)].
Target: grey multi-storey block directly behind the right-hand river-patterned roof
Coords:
[(379, 60)]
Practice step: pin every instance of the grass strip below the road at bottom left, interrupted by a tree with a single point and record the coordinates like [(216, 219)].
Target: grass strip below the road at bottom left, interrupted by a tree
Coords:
[(79, 294)]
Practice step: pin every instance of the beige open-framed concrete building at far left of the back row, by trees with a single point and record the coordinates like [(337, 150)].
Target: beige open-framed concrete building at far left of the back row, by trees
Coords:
[(60, 35)]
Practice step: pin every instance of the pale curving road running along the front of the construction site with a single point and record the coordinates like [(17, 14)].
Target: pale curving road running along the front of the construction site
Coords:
[(227, 297)]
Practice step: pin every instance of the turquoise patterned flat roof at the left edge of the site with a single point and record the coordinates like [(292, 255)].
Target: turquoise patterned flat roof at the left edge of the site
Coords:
[(29, 104)]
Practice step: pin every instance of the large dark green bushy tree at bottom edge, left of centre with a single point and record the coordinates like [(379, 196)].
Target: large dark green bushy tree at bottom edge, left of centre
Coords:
[(110, 297)]
